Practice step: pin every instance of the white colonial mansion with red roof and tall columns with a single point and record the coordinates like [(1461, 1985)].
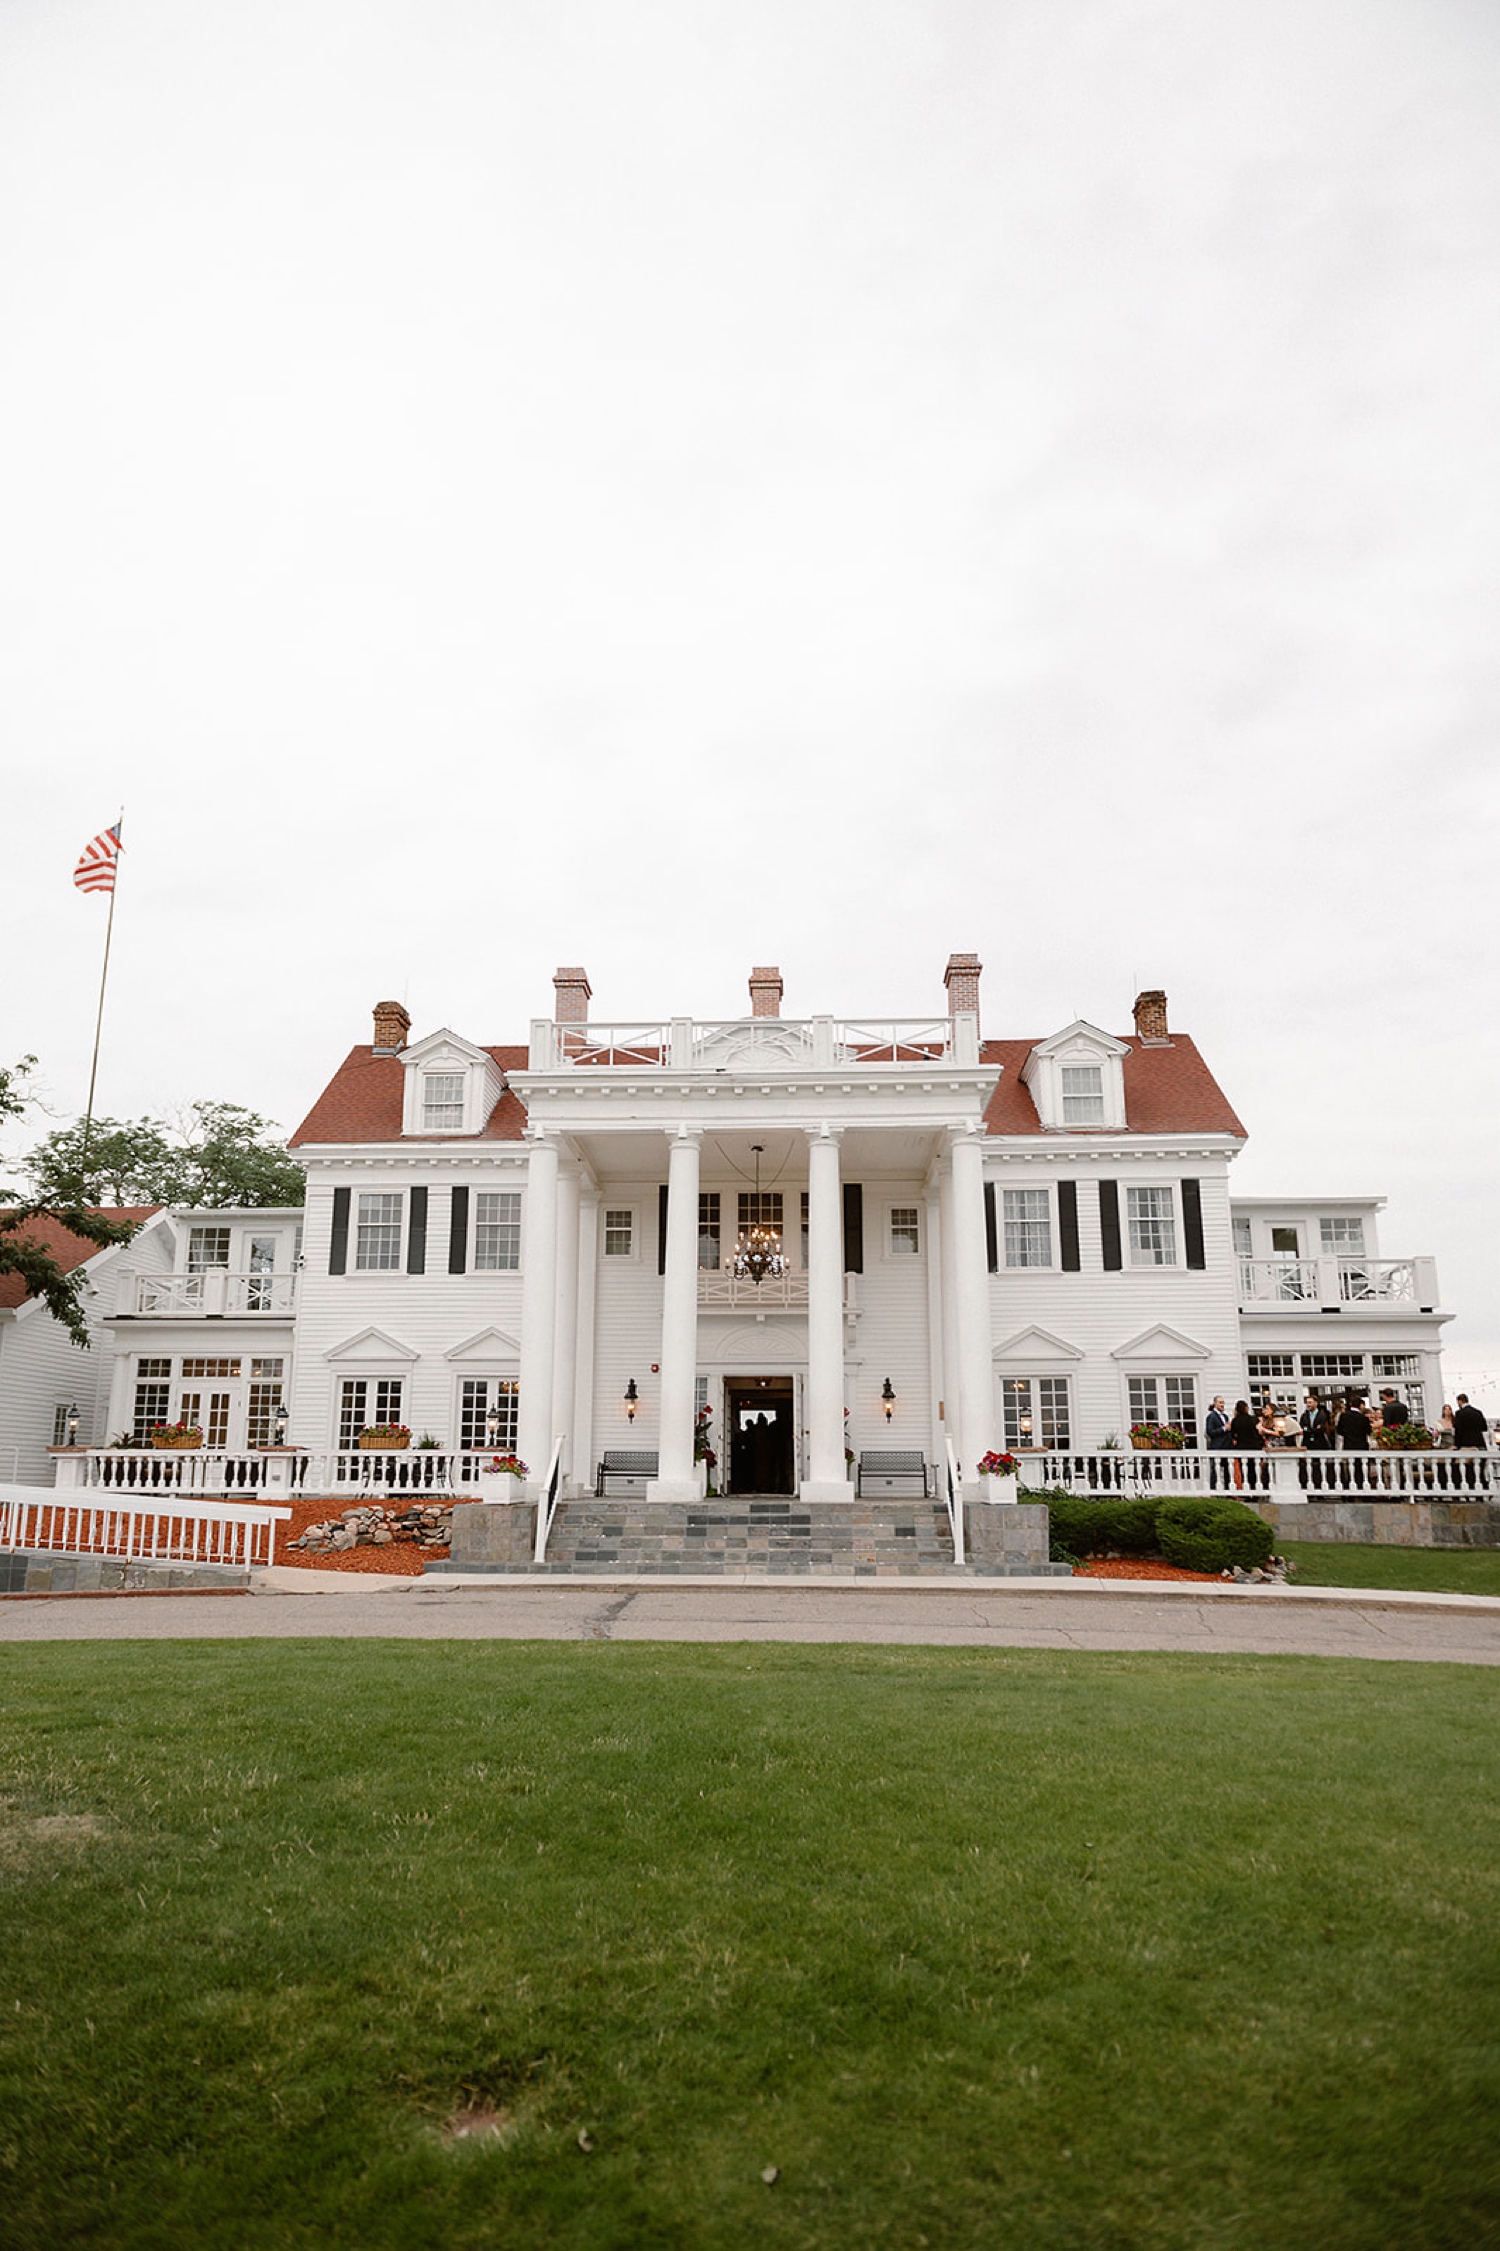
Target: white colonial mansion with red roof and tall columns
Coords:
[(963, 1241)]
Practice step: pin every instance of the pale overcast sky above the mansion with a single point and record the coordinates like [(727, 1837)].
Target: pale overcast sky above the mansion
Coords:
[(675, 485)]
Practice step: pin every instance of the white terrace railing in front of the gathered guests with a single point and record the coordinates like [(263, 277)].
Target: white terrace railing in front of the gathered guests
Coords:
[(1278, 1476)]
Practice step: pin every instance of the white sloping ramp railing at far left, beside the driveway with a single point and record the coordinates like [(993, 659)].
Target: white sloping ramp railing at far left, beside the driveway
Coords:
[(134, 1530)]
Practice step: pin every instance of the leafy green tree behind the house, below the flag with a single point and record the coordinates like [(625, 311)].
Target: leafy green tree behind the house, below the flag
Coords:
[(224, 1156)]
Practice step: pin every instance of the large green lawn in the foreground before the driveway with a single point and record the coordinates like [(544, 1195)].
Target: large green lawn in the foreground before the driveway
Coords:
[(979, 1948)]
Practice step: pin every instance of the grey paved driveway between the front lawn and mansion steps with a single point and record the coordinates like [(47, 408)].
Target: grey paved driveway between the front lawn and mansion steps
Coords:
[(1048, 1615)]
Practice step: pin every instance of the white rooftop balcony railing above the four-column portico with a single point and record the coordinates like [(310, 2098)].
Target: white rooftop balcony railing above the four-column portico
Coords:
[(762, 1043)]
